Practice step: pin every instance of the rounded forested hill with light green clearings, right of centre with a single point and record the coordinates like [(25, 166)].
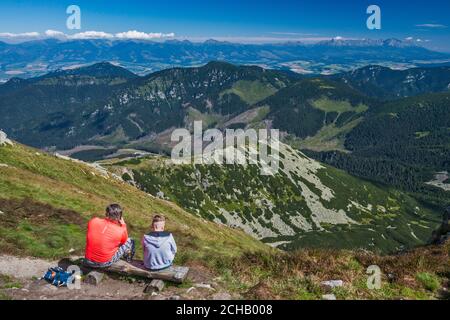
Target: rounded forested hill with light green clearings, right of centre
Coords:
[(317, 113)]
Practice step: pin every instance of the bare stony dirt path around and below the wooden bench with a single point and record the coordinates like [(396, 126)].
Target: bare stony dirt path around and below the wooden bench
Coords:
[(20, 280)]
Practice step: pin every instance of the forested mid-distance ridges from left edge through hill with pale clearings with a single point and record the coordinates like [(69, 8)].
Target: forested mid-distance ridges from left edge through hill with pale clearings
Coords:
[(106, 105)]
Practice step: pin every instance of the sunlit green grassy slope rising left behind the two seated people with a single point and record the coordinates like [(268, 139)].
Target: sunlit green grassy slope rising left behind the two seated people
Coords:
[(46, 203)]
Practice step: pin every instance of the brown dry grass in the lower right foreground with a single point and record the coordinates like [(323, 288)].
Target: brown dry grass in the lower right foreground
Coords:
[(297, 275)]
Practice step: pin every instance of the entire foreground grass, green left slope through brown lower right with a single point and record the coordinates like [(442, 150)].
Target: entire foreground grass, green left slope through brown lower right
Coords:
[(46, 201)]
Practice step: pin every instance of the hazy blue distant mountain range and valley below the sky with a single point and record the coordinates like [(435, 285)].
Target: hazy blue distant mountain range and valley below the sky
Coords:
[(35, 58)]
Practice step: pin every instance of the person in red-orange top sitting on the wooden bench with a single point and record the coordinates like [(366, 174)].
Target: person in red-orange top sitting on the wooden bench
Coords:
[(107, 239)]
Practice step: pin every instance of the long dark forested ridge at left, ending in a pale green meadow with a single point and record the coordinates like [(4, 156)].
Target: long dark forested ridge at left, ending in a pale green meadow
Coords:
[(89, 105)]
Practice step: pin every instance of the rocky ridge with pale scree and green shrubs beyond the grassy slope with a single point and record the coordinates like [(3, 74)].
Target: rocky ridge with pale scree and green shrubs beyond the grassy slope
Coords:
[(304, 204)]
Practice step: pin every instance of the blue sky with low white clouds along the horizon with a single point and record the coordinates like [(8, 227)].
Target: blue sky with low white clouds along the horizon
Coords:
[(247, 21)]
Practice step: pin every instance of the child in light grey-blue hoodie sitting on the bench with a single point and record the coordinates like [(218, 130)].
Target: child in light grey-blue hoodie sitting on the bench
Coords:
[(159, 246)]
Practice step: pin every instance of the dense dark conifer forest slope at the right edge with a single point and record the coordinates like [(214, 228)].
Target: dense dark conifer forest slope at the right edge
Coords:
[(401, 143)]
